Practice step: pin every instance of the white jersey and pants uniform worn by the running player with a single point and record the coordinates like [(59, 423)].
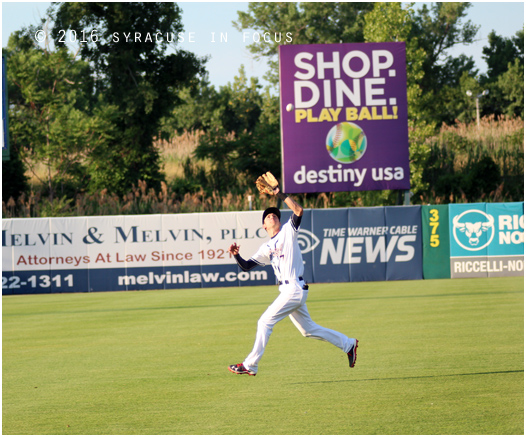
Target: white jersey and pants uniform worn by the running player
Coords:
[(283, 252)]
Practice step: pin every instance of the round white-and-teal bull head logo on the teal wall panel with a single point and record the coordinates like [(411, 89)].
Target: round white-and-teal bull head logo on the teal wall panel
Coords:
[(472, 230)]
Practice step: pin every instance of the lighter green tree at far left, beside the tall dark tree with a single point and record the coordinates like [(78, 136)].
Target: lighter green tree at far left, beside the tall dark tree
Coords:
[(50, 123)]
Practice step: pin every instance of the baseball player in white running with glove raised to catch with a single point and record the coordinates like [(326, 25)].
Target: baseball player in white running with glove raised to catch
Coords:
[(283, 252)]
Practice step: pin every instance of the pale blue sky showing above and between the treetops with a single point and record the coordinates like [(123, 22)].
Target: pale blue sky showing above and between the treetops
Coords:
[(206, 23)]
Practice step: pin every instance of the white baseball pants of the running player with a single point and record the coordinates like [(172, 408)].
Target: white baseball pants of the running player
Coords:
[(291, 302)]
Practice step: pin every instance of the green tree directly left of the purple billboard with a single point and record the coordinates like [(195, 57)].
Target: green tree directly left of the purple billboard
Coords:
[(241, 134)]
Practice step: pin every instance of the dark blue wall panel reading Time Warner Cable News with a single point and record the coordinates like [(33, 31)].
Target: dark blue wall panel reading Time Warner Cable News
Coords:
[(374, 245)]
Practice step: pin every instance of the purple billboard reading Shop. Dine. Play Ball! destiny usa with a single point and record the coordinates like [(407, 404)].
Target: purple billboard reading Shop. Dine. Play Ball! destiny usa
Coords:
[(344, 117)]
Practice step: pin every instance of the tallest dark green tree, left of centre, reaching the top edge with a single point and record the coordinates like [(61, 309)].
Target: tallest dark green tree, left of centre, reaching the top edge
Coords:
[(138, 78)]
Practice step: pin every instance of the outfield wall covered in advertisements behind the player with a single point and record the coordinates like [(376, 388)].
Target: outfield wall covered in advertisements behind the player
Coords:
[(114, 253)]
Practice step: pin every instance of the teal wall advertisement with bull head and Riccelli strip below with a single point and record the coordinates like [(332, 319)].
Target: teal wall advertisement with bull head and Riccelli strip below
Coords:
[(487, 240)]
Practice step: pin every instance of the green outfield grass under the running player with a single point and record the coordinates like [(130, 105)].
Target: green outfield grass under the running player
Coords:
[(435, 357)]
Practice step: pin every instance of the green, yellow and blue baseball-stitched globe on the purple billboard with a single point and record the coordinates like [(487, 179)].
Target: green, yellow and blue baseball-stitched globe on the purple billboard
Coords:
[(346, 142)]
